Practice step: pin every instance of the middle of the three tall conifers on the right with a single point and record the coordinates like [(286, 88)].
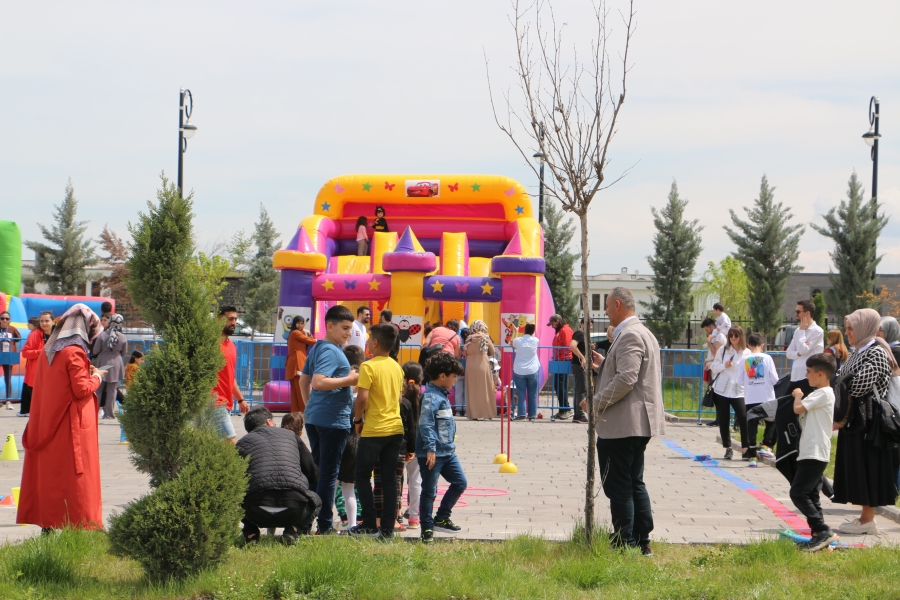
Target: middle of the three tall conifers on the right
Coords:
[(768, 247)]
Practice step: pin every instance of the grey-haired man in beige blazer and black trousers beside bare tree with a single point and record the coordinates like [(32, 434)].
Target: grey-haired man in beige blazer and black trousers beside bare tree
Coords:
[(628, 410)]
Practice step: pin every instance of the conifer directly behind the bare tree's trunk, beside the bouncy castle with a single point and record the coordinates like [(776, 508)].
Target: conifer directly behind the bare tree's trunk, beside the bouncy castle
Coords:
[(560, 261)]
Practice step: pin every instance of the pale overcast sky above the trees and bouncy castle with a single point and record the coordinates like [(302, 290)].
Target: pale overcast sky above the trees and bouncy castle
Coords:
[(290, 94)]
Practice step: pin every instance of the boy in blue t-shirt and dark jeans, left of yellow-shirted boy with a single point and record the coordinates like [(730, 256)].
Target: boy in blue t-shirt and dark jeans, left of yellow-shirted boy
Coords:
[(325, 382)]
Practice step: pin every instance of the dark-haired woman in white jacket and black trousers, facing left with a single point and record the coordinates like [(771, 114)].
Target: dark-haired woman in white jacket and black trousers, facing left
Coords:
[(727, 390)]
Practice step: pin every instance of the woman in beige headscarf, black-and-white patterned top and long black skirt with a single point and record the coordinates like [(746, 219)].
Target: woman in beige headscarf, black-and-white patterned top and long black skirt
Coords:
[(863, 473)]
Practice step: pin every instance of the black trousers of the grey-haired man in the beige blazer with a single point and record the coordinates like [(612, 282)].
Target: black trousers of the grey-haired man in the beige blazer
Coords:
[(622, 473)]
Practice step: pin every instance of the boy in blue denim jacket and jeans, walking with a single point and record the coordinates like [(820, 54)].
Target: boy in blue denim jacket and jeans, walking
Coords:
[(435, 448)]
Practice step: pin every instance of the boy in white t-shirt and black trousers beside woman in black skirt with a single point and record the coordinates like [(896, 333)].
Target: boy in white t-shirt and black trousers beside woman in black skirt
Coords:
[(816, 413)]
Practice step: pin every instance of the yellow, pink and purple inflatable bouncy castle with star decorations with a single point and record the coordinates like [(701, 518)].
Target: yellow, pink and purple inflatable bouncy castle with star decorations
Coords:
[(460, 247)]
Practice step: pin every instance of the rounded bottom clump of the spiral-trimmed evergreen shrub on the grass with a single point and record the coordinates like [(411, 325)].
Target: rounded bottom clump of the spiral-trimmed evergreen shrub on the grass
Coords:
[(188, 523)]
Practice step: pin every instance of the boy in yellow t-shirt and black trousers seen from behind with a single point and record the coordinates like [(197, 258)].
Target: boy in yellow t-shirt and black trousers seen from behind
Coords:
[(377, 421)]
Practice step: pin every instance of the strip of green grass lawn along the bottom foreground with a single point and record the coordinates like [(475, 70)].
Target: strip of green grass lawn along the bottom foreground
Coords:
[(76, 565)]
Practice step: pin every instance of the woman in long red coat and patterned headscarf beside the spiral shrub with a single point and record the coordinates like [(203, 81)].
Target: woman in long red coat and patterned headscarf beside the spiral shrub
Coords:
[(61, 474)]
